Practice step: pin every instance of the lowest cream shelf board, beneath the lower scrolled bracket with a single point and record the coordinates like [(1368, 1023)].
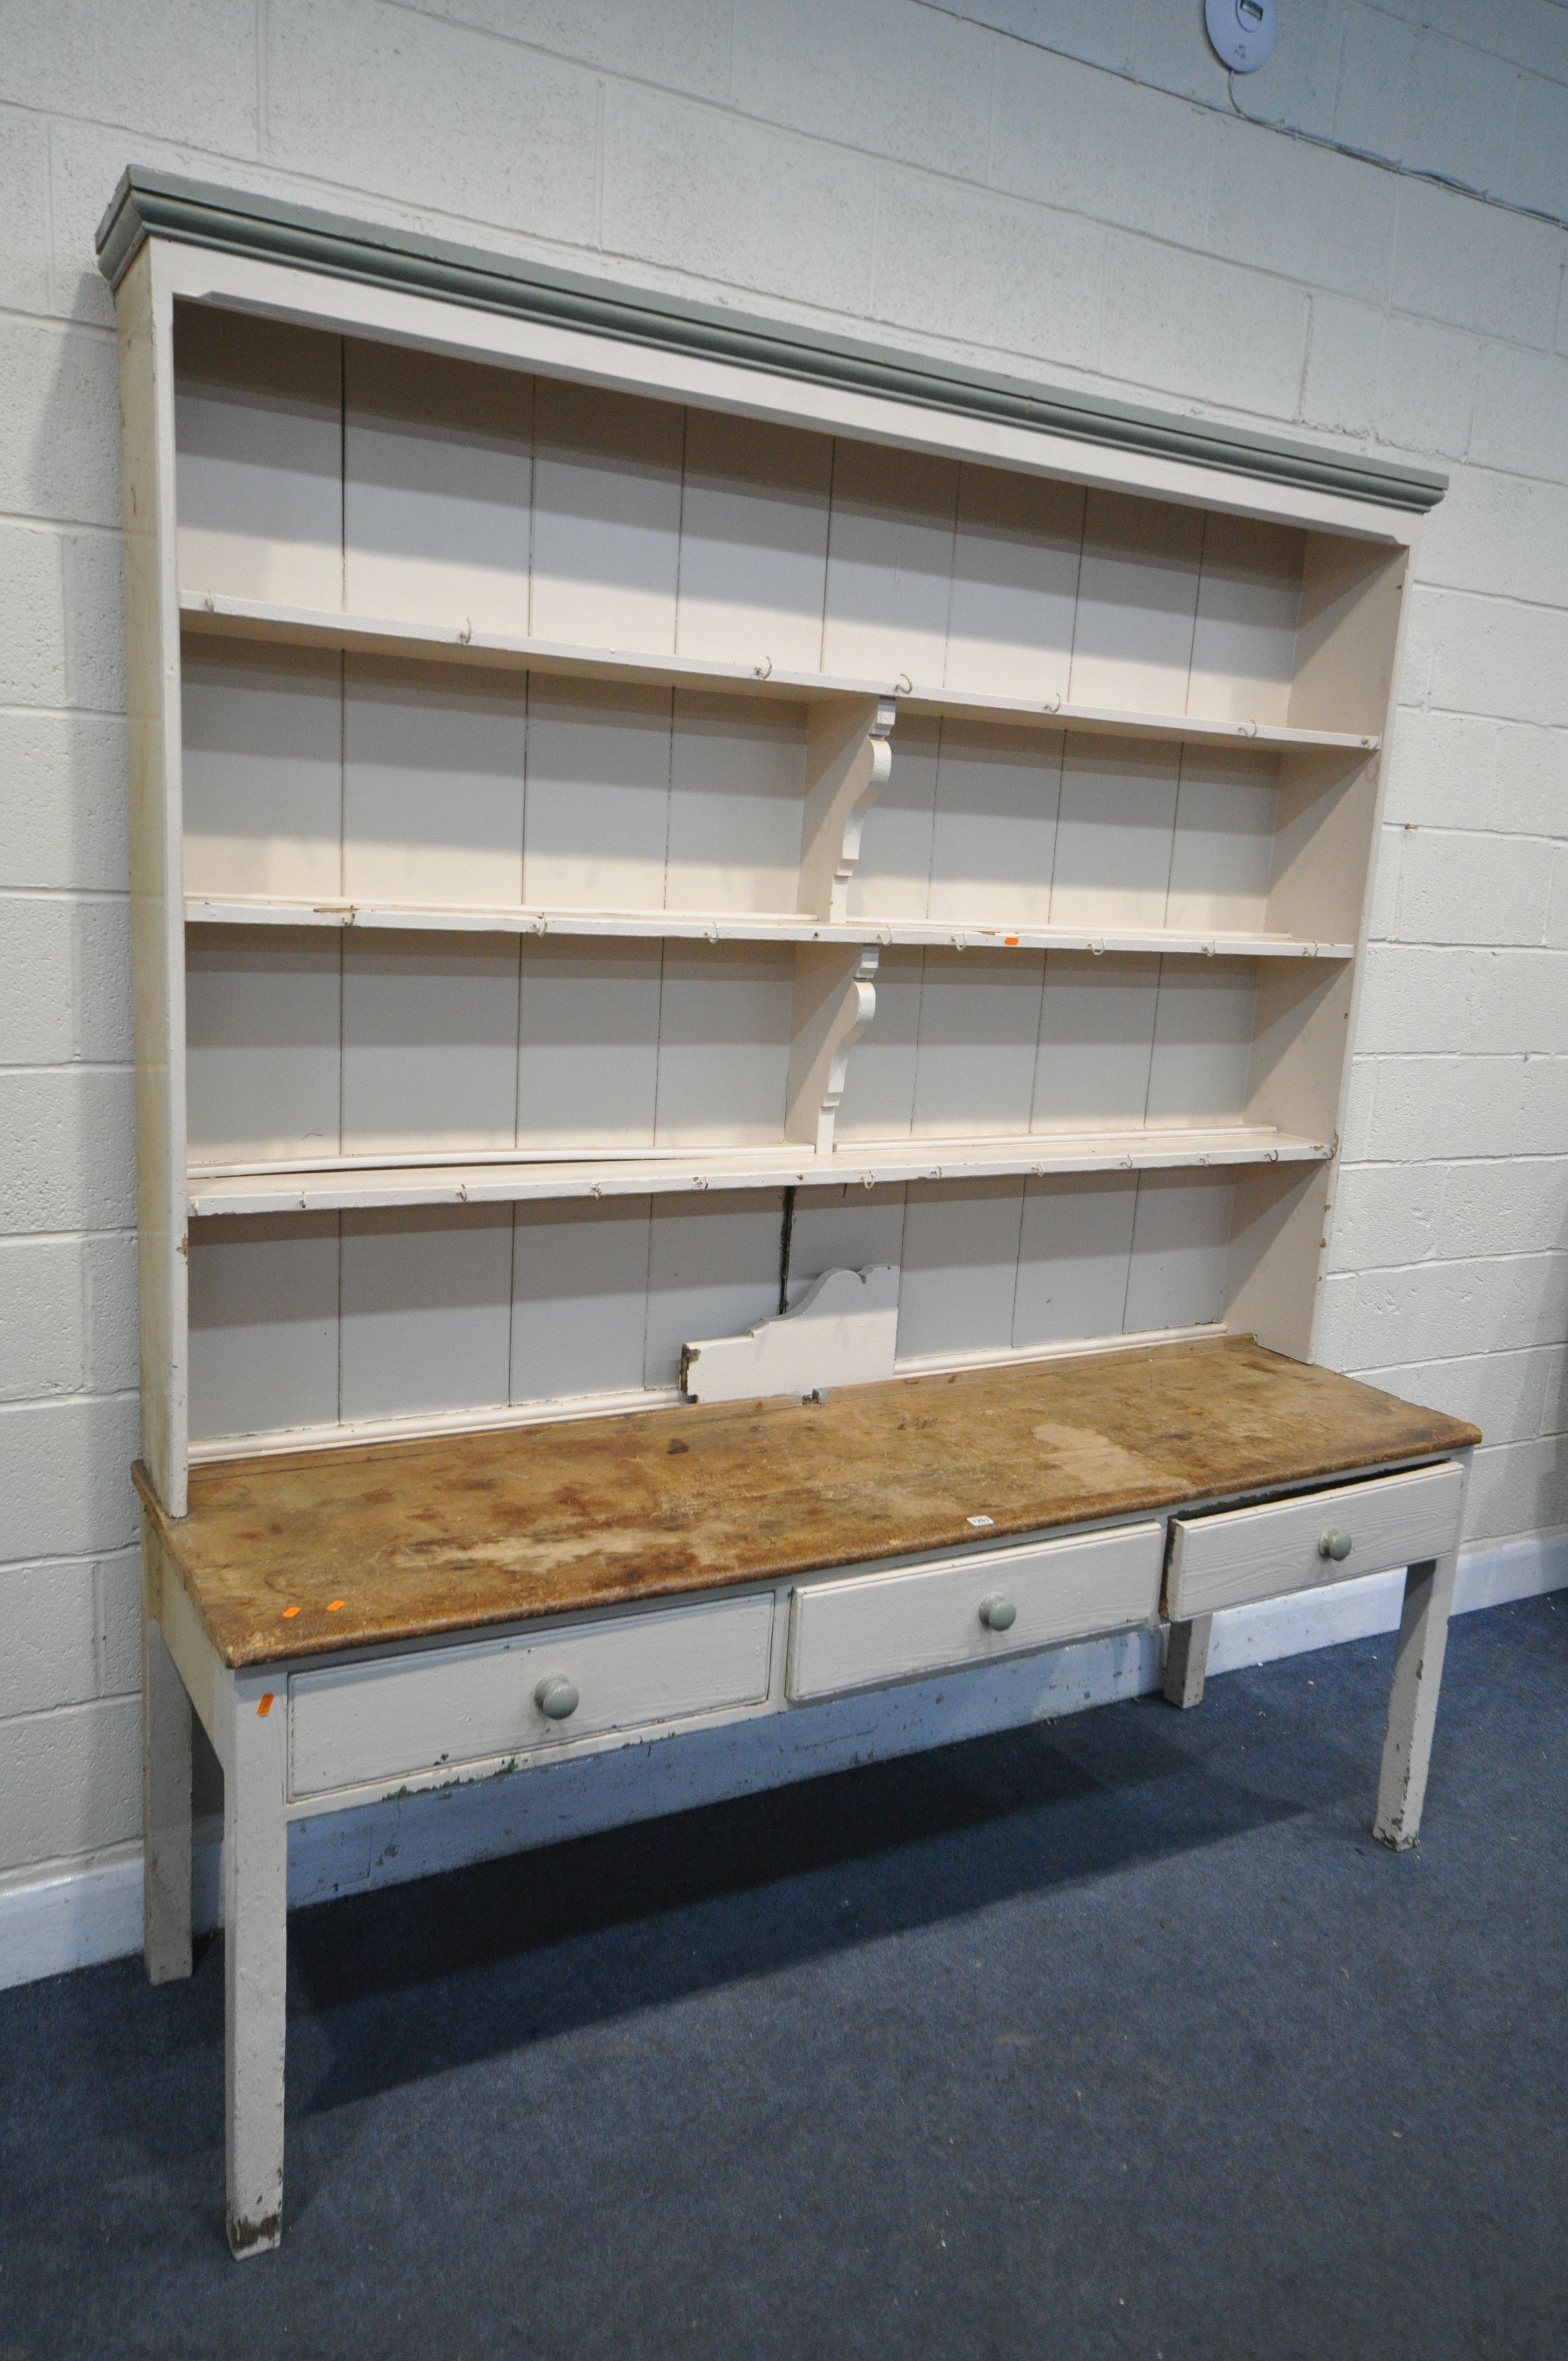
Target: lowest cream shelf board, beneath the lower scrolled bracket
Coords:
[(504, 1177)]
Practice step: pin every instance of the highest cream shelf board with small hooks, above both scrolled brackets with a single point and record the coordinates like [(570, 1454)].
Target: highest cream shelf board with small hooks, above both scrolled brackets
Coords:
[(388, 636)]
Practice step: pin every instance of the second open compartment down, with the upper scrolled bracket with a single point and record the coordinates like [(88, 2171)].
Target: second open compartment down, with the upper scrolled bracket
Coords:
[(339, 794)]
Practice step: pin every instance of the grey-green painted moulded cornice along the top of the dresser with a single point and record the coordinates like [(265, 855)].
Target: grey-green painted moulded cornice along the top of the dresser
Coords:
[(195, 214)]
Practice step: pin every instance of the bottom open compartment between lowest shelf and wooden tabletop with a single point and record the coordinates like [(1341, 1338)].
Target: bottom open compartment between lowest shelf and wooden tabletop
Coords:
[(362, 1323)]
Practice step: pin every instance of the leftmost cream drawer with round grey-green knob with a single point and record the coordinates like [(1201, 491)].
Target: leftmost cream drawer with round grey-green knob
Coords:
[(398, 1718)]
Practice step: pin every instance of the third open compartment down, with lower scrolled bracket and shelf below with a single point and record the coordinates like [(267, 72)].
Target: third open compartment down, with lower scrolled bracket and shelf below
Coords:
[(337, 1068)]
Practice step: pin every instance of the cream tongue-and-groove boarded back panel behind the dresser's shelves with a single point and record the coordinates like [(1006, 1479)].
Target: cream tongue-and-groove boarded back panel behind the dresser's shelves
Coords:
[(329, 787)]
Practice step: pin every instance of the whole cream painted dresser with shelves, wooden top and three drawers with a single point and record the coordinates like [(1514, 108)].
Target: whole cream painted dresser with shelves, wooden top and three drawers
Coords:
[(745, 953)]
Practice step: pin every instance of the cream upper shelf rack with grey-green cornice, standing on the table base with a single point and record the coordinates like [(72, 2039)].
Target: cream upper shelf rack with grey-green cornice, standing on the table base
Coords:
[(636, 809)]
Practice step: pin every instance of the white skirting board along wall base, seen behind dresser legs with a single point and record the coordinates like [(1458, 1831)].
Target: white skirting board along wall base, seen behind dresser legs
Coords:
[(74, 1916)]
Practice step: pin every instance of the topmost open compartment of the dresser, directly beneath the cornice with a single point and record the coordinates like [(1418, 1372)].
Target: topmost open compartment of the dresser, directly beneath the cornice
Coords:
[(381, 499)]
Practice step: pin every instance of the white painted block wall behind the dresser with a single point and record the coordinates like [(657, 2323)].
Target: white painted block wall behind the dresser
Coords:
[(1052, 185)]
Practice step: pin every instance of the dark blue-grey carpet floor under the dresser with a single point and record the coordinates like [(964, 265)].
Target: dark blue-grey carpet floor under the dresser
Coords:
[(1111, 2039)]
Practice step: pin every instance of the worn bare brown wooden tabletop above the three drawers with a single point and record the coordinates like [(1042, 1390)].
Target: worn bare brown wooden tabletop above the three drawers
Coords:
[(398, 1541)]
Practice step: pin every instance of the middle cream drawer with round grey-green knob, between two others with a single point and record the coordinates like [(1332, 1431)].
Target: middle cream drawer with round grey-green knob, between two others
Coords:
[(927, 1618)]
